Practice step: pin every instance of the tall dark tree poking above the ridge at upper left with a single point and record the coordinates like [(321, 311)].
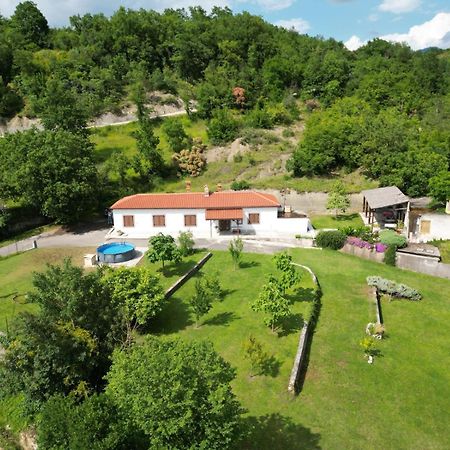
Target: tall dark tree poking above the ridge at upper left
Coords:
[(30, 23)]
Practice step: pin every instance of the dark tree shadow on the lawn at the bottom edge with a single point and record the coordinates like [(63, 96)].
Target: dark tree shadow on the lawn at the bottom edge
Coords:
[(276, 432)]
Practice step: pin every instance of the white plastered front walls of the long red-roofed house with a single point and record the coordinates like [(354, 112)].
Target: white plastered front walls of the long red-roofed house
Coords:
[(269, 223)]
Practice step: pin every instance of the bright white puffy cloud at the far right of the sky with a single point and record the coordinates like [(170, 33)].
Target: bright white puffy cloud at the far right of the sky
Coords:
[(434, 33)]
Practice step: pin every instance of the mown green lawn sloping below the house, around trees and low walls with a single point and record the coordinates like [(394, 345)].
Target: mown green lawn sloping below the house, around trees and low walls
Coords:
[(399, 402)]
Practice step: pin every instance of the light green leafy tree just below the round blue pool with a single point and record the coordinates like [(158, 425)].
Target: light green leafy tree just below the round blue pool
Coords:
[(137, 293)]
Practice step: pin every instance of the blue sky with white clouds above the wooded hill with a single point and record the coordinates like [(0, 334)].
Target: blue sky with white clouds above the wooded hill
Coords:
[(420, 23)]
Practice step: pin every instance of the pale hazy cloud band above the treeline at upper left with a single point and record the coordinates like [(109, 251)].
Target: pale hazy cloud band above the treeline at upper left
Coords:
[(58, 12)]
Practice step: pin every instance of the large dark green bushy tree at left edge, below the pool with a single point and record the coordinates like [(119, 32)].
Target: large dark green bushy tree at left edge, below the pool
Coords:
[(66, 346)]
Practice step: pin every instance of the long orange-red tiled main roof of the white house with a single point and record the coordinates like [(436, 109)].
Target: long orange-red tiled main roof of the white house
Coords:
[(197, 200)]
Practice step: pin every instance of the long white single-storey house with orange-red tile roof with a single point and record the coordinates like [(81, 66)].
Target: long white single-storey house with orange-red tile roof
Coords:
[(206, 215)]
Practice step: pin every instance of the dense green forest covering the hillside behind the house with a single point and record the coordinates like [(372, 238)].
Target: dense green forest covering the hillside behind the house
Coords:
[(383, 109)]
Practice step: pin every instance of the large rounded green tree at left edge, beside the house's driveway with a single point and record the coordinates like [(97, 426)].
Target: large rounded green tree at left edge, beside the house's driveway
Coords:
[(53, 171)]
